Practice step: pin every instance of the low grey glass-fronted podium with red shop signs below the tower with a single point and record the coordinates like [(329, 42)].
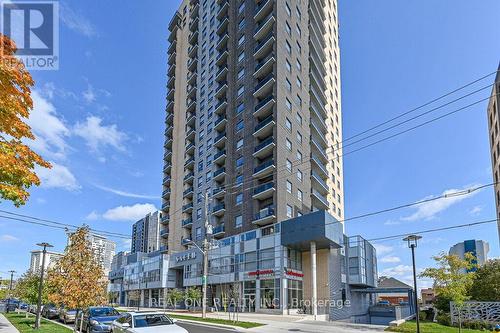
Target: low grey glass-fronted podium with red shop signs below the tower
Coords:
[(272, 270)]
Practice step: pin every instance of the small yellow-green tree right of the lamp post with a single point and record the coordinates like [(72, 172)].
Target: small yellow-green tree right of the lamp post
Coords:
[(451, 280)]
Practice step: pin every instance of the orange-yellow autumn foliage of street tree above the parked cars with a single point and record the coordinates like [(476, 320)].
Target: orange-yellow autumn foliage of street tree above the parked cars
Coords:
[(77, 281)]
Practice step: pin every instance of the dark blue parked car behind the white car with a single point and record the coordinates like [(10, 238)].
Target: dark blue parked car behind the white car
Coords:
[(96, 319)]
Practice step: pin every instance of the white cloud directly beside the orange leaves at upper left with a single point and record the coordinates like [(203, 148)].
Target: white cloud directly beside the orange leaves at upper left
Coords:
[(49, 130)]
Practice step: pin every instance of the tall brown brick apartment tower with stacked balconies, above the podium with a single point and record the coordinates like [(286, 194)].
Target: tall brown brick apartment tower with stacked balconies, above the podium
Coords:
[(253, 116)]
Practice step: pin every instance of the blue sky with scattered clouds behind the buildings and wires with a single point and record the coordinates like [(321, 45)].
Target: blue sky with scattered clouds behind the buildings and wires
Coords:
[(101, 120)]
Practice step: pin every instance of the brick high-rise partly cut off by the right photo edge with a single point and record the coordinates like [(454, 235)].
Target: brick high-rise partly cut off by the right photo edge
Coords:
[(494, 135)]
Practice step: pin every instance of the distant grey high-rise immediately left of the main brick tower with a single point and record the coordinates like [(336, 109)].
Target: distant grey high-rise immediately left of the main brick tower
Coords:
[(146, 233)]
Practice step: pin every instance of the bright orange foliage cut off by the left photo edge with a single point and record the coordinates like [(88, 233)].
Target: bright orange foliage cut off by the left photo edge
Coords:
[(17, 160)]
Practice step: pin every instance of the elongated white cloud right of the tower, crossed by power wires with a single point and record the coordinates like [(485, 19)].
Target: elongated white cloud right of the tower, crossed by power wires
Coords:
[(429, 210)]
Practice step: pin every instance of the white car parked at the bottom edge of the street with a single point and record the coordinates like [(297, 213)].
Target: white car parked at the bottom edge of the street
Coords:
[(145, 322)]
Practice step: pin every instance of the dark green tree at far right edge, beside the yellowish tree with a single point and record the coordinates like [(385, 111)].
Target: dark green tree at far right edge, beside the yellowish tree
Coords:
[(486, 286)]
